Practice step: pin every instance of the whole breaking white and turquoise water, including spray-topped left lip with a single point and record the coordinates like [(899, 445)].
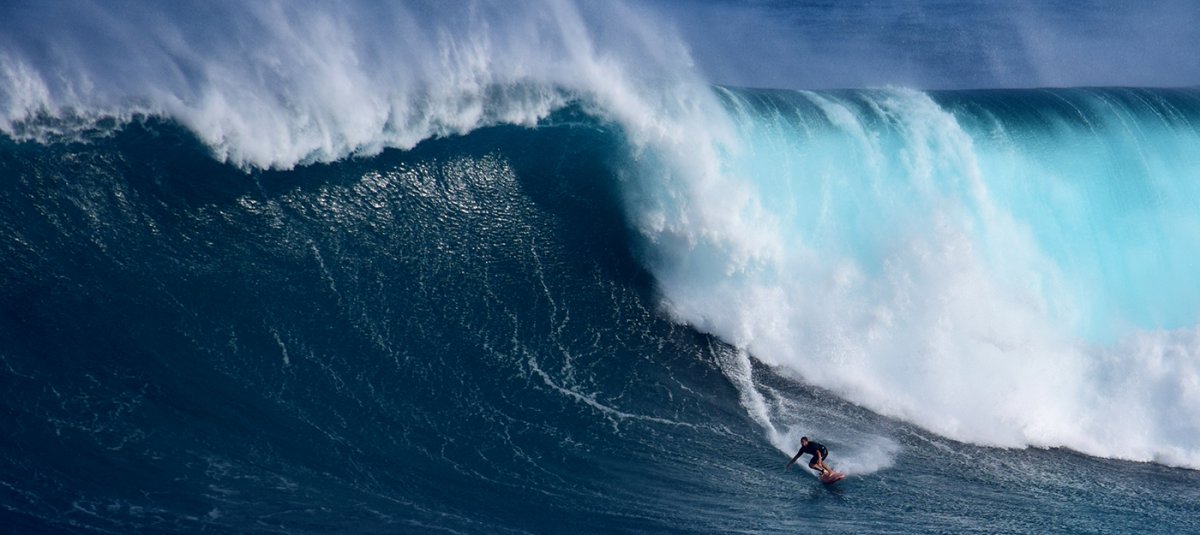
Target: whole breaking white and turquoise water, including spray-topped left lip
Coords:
[(1022, 259)]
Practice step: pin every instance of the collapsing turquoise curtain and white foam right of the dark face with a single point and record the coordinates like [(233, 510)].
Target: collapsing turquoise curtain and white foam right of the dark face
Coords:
[(873, 245)]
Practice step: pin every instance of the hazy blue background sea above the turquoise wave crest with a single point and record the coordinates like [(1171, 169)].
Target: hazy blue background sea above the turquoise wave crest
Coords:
[(941, 45)]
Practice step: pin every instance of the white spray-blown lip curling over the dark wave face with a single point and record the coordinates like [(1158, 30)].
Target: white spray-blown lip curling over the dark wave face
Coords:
[(274, 85)]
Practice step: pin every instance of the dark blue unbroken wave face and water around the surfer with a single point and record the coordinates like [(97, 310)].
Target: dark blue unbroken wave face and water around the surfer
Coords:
[(452, 339)]
